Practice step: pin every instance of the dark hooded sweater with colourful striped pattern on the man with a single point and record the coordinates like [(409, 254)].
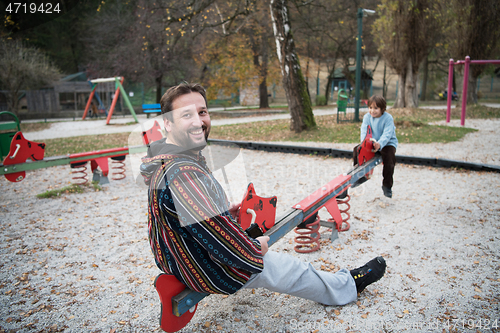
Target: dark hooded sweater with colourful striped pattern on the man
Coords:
[(191, 233)]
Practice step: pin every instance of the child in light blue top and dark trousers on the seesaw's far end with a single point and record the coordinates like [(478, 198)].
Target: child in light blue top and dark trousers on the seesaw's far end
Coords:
[(384, 132)]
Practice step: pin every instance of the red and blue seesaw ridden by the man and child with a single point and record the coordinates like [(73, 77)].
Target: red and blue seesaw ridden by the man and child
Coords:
[(257, 217)]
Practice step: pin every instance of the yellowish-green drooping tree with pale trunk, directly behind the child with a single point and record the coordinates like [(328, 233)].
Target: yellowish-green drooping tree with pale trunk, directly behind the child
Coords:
[(405, 32)]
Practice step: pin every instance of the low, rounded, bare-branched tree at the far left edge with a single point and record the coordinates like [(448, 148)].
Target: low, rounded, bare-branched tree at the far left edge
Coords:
[(21, 68)]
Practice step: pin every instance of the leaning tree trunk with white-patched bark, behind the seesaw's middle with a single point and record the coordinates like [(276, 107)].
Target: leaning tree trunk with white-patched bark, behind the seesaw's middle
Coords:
[(298, 99)]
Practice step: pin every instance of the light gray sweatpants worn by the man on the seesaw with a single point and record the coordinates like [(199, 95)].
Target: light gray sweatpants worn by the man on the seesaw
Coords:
[(286, 274)]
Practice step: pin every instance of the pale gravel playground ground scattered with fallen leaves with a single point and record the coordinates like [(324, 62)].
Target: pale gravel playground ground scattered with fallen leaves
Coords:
[(82, 263)]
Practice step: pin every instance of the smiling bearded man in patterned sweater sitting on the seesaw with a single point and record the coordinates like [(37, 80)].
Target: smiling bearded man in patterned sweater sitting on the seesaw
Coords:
[(192, 228)]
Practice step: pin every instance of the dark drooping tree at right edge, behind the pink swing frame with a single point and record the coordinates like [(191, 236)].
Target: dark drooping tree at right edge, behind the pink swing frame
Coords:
[(475, 33)]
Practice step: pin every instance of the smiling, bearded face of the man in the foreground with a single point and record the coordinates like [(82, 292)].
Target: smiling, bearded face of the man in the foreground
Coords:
[(190, 125)]
